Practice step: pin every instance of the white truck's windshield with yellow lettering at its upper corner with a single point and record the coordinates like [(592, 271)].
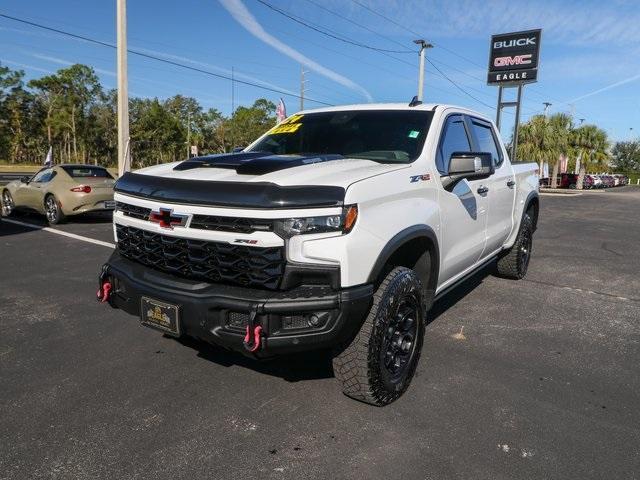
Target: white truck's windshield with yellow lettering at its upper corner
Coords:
[(387, 136)]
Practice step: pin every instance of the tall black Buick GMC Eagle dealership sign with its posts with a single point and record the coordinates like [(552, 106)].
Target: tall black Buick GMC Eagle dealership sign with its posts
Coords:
[(513, 62)]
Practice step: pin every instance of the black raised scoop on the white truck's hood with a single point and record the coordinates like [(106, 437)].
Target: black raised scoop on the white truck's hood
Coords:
[(254, 163)]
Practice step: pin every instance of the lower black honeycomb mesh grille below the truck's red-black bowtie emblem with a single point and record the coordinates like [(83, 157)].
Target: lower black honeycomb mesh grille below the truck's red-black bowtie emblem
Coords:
[(198, 259)]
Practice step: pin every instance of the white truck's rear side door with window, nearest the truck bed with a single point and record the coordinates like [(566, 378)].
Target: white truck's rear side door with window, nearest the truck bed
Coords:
[(501, 185)]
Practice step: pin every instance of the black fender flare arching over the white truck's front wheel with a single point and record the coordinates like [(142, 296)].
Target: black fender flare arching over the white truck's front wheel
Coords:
[(401, 238)]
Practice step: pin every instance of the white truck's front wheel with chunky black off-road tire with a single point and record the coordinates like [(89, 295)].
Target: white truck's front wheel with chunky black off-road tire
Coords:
[(366, 366)]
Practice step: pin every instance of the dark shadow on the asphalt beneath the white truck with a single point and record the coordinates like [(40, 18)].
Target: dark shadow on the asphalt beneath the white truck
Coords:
[(317, 364)]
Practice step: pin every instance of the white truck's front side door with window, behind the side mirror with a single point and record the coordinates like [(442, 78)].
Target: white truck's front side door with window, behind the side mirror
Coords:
[(463, 208)]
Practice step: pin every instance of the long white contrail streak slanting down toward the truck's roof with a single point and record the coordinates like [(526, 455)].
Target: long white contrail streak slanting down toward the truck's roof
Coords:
[(240, 13)]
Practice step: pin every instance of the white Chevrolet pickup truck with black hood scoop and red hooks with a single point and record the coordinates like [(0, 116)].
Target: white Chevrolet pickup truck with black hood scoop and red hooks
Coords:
[(337, 230)]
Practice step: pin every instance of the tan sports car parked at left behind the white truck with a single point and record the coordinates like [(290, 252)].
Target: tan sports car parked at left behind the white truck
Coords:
[(61, 191)]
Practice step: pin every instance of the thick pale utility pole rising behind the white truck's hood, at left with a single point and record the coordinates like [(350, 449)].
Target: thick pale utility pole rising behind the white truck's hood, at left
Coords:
[(124, 154)]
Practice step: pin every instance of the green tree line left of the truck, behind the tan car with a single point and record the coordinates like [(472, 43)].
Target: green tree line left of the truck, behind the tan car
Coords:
[(73, 114)]
